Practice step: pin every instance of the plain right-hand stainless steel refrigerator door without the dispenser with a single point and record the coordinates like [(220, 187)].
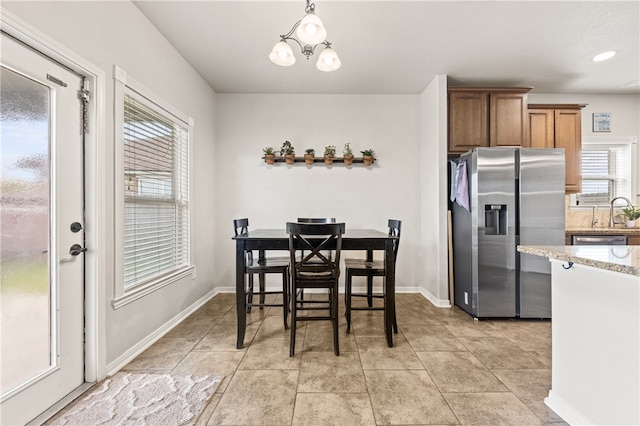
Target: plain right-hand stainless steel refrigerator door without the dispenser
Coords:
[(541, 223)]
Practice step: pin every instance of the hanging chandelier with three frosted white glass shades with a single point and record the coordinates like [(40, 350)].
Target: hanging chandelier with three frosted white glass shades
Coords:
[(311, 34)]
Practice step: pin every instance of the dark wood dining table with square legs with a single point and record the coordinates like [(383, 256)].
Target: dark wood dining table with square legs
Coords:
[(353, 239)]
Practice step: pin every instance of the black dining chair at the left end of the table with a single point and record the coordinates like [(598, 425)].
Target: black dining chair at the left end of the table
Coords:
[(261, 266)]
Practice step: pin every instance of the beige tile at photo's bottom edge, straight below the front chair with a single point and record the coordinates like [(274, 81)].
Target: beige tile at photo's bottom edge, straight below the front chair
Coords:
[(316, 409)]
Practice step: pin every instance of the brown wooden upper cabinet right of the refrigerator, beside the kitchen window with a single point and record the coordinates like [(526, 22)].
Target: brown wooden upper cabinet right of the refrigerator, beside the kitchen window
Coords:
[(559, 126)]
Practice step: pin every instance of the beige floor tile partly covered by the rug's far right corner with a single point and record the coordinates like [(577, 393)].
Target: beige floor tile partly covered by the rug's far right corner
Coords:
[(213, 363)]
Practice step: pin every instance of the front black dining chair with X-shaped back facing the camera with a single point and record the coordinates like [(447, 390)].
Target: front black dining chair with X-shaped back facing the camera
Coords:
[(315, 271)]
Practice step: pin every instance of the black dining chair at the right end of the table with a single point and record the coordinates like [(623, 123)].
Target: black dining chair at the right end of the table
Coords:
[(369, 269)]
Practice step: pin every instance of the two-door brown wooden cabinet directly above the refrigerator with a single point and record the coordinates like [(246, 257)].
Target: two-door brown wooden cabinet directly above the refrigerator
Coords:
[(487, 116)]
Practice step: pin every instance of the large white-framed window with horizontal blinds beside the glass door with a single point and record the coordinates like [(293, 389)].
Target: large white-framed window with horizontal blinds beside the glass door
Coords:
[(153, 214)]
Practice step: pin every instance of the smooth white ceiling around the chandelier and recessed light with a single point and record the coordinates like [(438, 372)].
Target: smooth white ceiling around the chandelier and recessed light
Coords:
[(397, 47)]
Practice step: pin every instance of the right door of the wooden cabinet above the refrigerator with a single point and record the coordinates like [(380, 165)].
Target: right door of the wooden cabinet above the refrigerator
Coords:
[(508, 119)]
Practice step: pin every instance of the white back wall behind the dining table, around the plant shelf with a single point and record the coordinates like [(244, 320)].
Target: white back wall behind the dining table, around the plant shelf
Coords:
[(361, 197)]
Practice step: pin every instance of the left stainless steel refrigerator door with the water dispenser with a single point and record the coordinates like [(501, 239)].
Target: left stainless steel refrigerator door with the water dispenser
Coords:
[(496, 284)]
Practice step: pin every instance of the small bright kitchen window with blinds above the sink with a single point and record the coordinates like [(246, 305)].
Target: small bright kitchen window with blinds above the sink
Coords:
[(607, 171)]
